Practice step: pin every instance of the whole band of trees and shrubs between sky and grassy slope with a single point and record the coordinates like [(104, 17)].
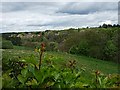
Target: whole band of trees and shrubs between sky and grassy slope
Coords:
[(98, 42)]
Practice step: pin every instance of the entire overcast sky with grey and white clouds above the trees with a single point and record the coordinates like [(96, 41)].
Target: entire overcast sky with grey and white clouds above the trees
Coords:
[(39, 16)]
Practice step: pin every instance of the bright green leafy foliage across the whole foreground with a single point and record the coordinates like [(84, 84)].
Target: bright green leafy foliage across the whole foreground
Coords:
[(52, 76)]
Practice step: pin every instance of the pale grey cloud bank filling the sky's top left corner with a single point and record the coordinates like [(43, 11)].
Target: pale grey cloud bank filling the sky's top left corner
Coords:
[(30, 6)]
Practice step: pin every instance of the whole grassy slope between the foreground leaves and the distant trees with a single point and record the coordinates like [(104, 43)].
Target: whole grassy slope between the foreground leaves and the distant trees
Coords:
[(90, 64)]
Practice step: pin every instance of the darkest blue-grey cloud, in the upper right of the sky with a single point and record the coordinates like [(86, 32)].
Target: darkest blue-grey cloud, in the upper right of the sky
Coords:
[(88, 7)]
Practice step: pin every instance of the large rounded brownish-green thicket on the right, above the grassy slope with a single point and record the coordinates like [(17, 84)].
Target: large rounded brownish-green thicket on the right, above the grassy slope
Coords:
[(98, 43)]
